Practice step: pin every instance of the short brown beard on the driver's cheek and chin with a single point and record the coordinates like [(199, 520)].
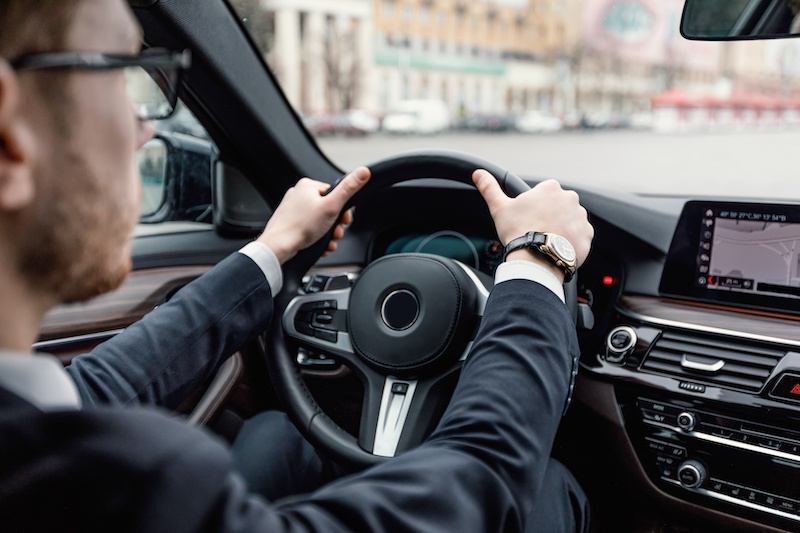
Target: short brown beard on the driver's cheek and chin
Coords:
[(77, 243)]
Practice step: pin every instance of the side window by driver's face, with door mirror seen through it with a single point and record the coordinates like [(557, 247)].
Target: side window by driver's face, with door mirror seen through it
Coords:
[(175, 170)]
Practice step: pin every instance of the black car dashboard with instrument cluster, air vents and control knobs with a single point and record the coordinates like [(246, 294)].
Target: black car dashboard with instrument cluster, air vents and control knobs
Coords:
[(687, 409)]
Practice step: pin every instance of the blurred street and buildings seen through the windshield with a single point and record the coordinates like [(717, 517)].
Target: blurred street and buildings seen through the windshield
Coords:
[(601, 93)]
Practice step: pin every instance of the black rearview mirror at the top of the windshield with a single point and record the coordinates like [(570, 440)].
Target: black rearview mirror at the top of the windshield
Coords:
[(730, 20)]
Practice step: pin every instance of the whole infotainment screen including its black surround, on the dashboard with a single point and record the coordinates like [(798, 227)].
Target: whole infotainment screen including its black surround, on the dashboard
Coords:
[(739, 253)]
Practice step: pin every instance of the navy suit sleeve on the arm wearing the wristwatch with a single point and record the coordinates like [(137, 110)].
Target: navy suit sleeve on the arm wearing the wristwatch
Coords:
[(482, 467)]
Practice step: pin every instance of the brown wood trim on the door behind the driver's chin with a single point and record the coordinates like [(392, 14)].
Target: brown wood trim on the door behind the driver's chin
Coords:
[(138, 295)]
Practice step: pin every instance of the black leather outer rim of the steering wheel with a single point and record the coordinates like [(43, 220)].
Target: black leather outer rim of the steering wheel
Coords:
[(286, 376)]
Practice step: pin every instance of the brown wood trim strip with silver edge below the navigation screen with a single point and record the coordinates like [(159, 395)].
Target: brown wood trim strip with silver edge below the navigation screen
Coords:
[(712, 316)]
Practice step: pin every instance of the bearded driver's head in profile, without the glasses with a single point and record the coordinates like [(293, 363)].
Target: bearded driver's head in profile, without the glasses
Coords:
[(69, 188)]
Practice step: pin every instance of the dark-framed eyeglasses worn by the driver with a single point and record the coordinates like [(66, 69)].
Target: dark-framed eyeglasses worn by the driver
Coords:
[(152, 77)]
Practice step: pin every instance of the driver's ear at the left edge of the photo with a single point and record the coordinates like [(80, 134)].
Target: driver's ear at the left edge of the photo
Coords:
[(16, 179)]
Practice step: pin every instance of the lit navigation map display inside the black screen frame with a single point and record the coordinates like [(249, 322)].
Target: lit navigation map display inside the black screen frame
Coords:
[(749, 252)]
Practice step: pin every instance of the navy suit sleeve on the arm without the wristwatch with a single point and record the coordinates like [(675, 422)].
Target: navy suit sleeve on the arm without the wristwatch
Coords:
[(174, 349)]
